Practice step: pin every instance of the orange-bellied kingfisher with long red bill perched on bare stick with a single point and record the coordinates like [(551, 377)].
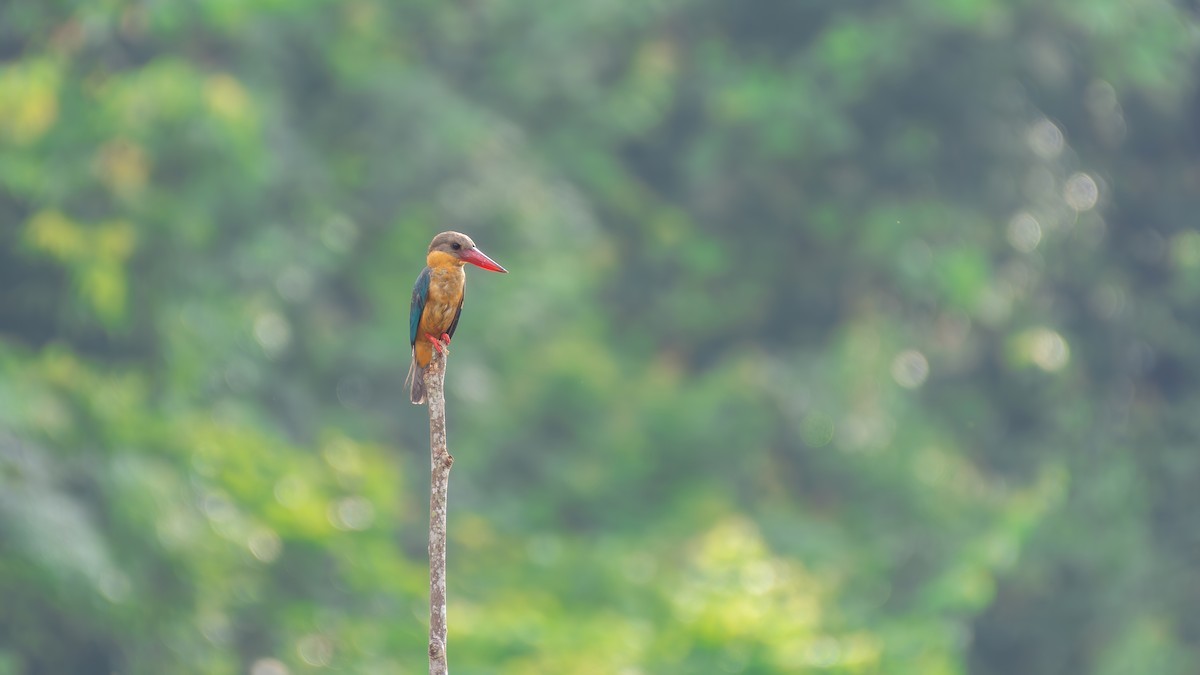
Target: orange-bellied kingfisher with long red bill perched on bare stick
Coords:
[(437, 301)]
